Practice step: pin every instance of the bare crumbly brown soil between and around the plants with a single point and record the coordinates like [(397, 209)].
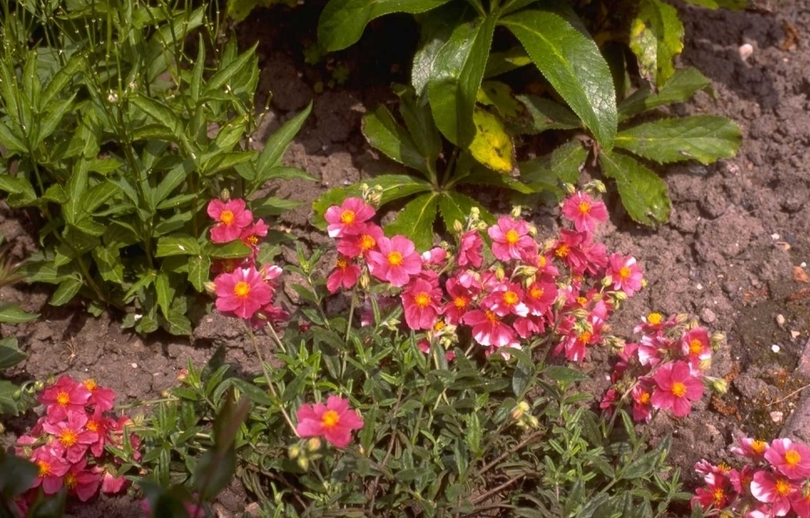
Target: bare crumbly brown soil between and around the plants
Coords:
[(738, 230)]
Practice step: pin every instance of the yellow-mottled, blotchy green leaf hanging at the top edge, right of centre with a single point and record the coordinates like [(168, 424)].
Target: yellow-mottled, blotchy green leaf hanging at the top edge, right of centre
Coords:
[(656, 37)]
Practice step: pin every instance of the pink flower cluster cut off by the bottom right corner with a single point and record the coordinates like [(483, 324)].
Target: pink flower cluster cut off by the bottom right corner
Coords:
[(774, 481)]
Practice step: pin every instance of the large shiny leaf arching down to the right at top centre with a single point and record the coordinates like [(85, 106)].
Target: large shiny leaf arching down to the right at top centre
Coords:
[(555, 40)]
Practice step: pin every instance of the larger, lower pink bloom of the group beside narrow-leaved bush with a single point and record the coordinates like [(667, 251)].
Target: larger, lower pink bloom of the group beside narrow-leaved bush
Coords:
[(242, 292)]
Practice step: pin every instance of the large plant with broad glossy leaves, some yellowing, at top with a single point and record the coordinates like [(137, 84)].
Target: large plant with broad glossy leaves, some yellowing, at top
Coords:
[(582, 50)]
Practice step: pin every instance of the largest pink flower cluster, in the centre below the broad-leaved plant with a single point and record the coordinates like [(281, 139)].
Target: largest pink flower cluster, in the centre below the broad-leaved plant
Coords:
[(516, 289)]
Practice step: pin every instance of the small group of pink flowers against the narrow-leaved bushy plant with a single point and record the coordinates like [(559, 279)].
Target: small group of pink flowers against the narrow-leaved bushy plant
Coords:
[(243, 289)]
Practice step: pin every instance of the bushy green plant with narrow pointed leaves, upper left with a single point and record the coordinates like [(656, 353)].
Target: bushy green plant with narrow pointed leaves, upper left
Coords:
[(116, 134)]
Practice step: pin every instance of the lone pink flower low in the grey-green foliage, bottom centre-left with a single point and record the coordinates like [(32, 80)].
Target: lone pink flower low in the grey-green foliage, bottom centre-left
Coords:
[(333, 421)]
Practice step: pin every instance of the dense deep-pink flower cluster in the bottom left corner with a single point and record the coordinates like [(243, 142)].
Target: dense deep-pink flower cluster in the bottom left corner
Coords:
[(68, 442)]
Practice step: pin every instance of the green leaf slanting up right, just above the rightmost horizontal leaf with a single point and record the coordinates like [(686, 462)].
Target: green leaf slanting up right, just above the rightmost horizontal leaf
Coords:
[(680, 87)]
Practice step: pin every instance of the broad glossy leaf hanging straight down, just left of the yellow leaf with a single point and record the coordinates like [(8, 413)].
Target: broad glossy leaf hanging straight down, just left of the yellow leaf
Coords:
[(456, 76)]
